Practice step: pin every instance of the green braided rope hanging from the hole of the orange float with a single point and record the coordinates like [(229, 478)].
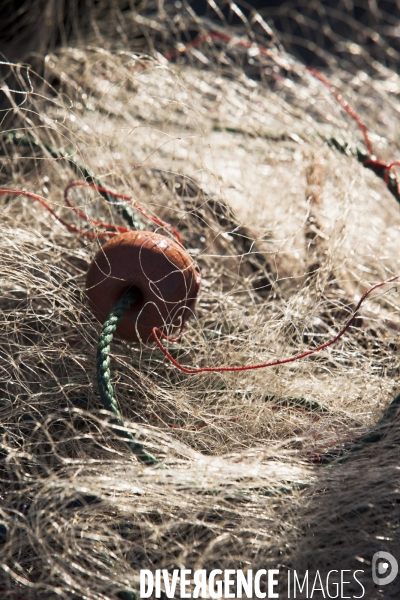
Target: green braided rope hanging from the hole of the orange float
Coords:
[(103, 376)]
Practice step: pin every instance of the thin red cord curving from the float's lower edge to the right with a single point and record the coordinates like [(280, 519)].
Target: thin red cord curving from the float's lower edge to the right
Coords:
[(158, 334)]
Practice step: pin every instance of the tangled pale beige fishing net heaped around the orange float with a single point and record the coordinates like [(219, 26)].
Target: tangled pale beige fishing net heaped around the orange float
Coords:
[(215, 127)]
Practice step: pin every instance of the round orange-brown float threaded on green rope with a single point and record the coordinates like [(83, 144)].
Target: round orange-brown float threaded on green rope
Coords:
[(161, 272)]
